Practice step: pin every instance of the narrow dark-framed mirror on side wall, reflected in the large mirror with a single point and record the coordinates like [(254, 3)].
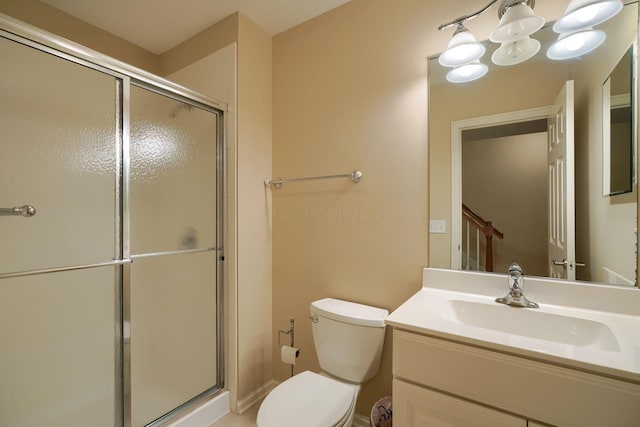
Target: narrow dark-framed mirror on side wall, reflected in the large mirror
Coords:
[(618, 155)]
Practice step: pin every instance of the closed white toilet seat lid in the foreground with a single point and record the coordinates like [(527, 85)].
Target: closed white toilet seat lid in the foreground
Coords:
[(306, 399)]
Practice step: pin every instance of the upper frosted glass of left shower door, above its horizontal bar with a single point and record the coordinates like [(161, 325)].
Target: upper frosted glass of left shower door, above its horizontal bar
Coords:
[(58, 148)]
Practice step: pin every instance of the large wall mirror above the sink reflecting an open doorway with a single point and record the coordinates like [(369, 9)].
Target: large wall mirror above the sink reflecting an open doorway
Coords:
[(510, 107)]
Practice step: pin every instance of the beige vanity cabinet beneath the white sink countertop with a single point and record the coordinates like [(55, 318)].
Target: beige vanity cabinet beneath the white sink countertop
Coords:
[(442, 382)]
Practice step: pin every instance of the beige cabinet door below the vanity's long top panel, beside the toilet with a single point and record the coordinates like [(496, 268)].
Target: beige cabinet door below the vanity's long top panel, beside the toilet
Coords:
[(415, 406)]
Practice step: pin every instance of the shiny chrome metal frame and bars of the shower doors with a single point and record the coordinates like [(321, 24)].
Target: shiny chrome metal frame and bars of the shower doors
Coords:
[(126, 76)]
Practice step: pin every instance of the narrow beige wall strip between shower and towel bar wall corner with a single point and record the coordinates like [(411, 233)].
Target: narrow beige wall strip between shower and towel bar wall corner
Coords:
[(254, 210)]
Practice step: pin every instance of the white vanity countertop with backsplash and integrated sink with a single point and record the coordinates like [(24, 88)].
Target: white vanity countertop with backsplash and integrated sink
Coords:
[(614, 313)]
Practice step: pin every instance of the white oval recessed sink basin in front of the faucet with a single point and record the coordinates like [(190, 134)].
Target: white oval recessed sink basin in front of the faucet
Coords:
[(532, 323)]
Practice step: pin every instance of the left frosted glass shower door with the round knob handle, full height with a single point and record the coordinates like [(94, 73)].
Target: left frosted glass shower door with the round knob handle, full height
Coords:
[(59, 287)]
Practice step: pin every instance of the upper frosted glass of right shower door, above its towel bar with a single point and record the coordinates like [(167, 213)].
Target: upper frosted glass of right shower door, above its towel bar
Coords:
[(173, 174)]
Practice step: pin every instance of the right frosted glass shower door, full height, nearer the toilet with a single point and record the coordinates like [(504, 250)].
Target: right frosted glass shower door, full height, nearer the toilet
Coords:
[(173, 234)]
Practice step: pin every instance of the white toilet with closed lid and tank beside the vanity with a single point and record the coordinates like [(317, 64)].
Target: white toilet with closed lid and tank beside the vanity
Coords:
[(348, 338)]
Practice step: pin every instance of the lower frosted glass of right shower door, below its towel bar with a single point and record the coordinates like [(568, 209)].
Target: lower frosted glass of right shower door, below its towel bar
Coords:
[(173, 332)]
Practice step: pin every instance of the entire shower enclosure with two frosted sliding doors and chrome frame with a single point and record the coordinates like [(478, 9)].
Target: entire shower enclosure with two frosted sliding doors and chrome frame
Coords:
[(111, 233)]
